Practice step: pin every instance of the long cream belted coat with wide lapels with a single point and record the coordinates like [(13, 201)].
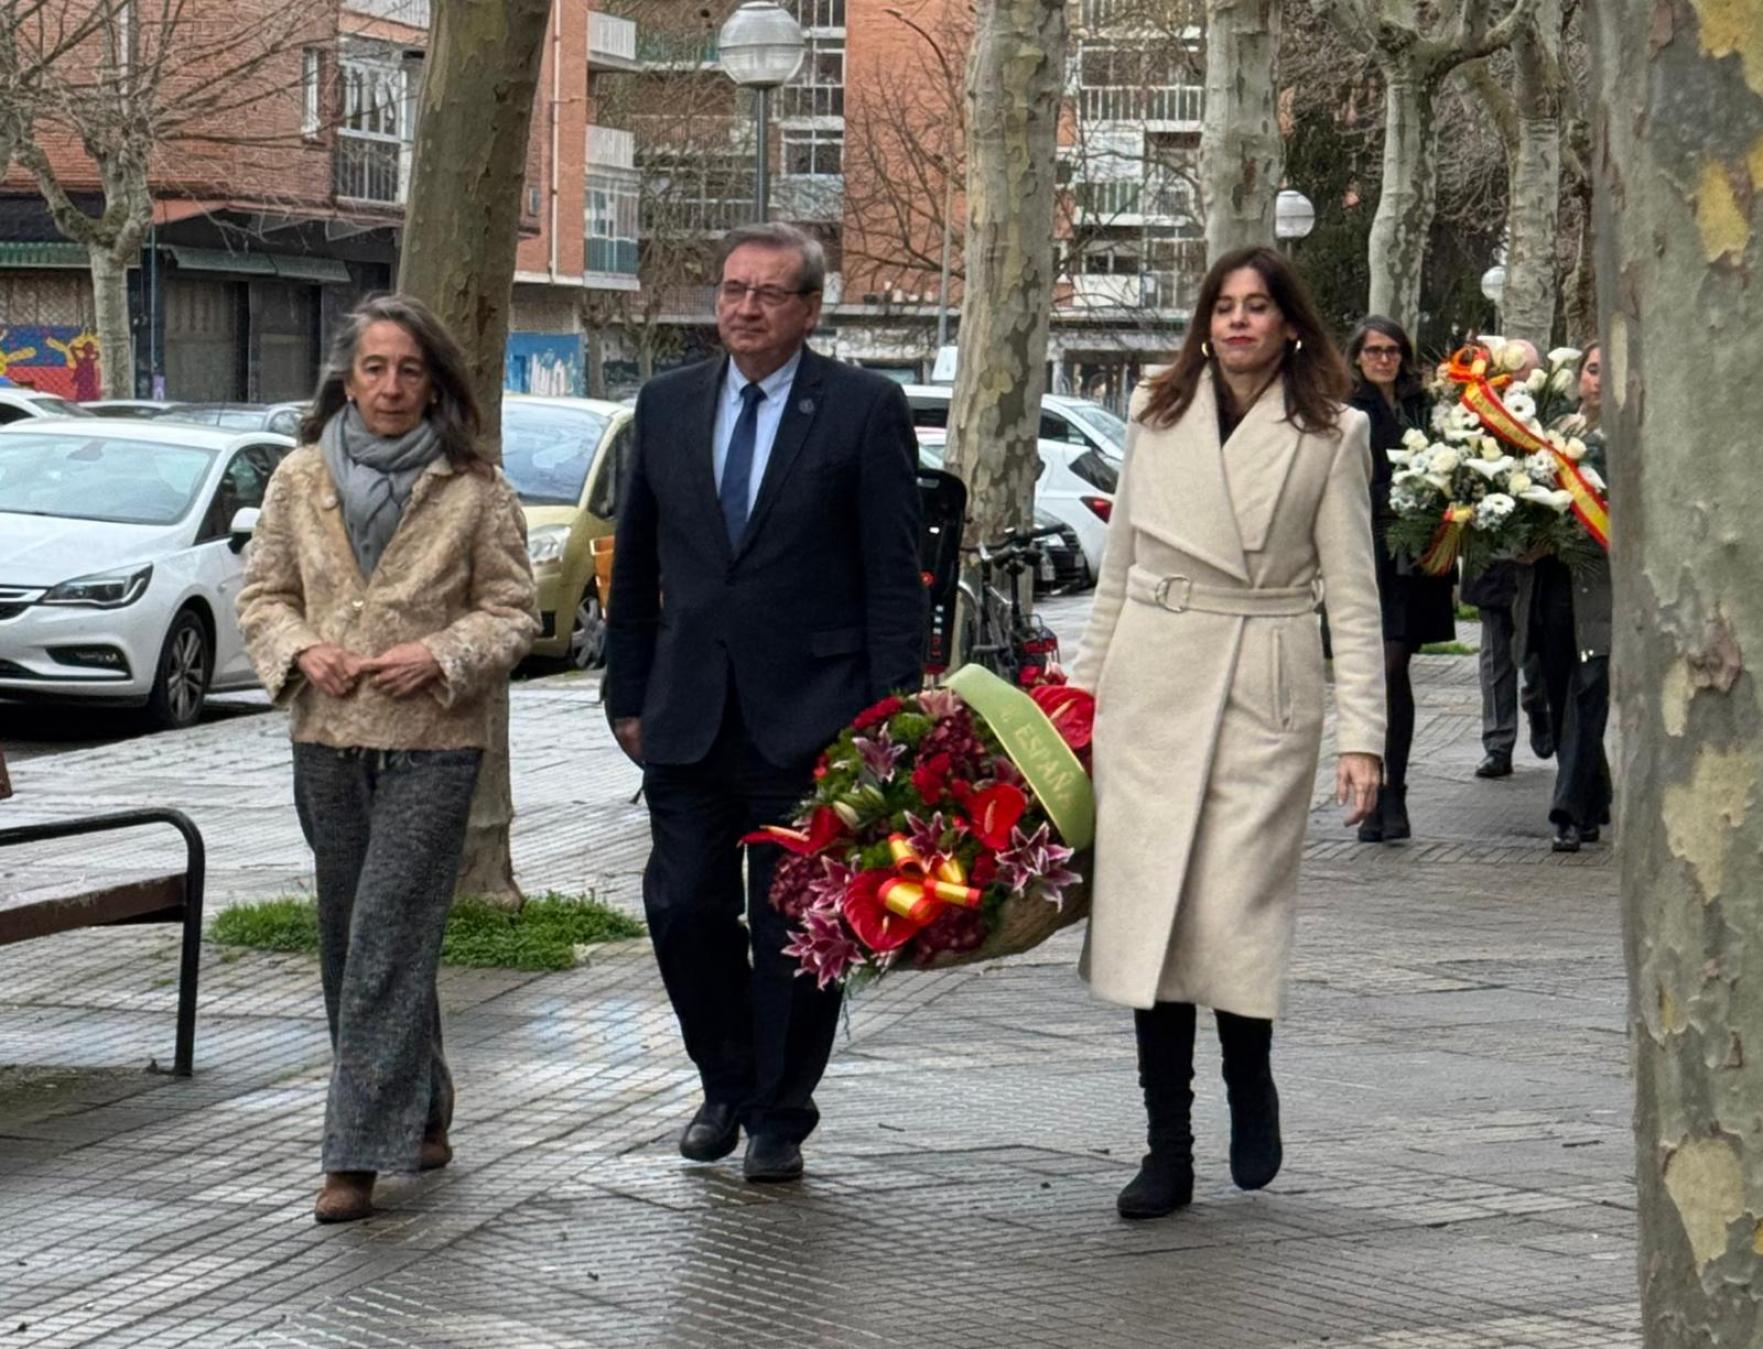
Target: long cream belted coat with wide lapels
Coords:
[(1207, 664)]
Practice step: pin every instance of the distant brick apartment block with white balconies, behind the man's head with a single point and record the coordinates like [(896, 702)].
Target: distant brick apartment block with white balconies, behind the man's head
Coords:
[(867, 153)]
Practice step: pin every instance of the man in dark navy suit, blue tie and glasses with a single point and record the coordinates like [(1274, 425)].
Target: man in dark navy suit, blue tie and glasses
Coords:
[(766, 590)]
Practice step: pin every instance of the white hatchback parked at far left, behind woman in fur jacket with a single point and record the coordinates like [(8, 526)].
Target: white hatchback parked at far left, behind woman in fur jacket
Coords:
[(121, 562)]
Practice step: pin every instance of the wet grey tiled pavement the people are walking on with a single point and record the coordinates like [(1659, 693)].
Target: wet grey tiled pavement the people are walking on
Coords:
[(1454, 1070)]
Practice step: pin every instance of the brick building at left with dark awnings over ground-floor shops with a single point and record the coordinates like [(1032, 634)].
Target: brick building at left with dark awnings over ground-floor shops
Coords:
[(274, 212)]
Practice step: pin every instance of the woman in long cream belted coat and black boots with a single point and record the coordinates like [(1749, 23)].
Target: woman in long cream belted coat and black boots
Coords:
[(1246, 493)]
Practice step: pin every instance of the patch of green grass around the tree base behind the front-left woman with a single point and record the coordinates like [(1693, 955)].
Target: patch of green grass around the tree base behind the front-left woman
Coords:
[(542, 935)]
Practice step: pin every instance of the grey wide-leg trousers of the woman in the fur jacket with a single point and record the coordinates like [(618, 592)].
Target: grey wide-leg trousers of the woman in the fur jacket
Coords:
[(387, 830)]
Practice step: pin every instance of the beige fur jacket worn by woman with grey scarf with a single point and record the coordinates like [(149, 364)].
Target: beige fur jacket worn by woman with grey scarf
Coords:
[(456, 578)]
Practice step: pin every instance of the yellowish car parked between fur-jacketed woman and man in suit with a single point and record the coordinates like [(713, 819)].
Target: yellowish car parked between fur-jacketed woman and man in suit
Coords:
[(567, 459)]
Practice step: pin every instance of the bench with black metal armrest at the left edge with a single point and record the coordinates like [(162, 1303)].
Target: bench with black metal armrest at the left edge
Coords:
[(154, 900)]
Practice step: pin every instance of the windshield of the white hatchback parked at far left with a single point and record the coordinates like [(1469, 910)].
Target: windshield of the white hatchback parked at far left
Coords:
[(100, 479)]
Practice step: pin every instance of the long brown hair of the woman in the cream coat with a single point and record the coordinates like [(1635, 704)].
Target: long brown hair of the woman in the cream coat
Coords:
[(1313, 371)]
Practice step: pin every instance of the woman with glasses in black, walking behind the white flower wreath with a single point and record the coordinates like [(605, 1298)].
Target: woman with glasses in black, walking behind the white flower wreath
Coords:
[(1418, 609)]
